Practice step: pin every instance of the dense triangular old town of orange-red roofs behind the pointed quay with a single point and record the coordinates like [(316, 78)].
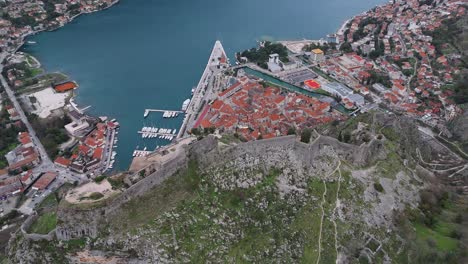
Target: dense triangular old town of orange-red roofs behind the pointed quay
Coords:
[(253, 111)]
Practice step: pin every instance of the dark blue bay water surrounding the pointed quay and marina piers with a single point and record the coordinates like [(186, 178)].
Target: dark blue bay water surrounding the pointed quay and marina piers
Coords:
[(150, 53)]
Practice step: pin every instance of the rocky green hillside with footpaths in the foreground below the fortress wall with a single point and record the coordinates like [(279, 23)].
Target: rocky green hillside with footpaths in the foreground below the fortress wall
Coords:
[(377, 195)]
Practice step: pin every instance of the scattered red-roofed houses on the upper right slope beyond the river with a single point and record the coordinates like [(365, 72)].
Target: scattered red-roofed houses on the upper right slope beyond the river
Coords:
[(397, 40)]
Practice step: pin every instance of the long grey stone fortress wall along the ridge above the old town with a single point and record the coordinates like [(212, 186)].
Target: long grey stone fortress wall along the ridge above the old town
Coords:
[(276, 152)]
